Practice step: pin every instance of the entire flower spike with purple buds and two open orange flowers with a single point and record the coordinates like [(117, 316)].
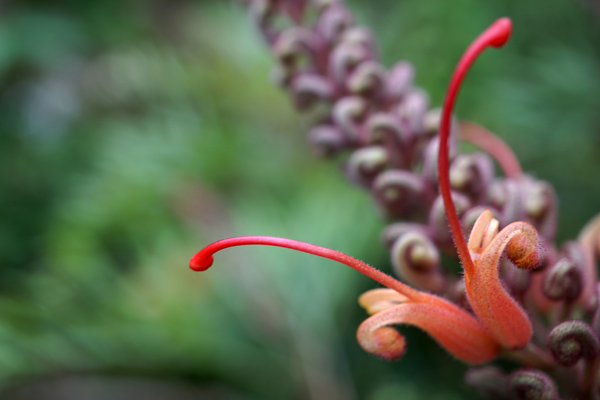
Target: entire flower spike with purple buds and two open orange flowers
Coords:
[(546, 320)]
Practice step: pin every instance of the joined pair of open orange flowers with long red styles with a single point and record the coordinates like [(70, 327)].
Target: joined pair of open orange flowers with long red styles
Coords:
[(499, 321)]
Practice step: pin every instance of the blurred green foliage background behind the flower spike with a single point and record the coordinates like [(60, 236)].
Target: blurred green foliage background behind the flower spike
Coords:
[(134, 132)]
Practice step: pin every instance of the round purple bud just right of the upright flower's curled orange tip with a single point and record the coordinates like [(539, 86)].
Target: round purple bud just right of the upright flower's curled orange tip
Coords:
[(563, 280)]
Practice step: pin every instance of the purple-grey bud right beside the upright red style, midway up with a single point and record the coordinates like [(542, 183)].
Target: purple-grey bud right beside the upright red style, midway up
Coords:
[(472, 174)]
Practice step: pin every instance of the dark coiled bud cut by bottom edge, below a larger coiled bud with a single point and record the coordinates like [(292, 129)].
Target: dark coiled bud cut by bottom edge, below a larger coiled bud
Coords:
[(531, 385)]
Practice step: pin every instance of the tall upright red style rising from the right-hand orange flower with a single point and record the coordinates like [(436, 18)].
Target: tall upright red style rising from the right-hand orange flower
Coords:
[(496, 35)]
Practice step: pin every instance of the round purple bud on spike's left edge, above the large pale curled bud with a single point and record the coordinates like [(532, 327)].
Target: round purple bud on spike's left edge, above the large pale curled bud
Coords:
[(399, 192)]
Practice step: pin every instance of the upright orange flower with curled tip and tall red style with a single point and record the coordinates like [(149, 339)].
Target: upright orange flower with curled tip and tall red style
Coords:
[(501, 315)]
